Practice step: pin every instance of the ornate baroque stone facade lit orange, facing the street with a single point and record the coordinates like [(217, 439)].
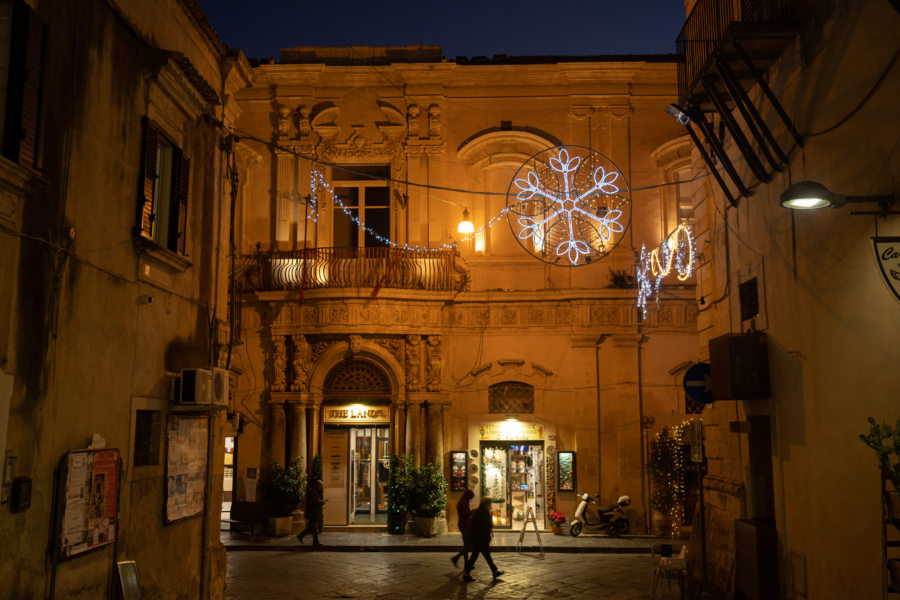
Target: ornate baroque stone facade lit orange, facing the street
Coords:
[(354, 350)]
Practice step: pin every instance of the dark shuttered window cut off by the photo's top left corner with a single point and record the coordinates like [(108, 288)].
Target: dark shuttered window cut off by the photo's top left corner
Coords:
[(23, 40)]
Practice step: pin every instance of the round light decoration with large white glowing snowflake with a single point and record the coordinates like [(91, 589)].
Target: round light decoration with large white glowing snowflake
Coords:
[(571, 207)]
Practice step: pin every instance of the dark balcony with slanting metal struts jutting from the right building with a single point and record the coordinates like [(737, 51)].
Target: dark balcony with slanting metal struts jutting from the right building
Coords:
[(724, 51)]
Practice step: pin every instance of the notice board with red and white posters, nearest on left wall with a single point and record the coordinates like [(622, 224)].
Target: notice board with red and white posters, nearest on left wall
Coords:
[(87, 505)]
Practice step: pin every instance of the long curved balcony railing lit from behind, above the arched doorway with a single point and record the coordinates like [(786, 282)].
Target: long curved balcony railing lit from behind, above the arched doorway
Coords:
[(430, 270)]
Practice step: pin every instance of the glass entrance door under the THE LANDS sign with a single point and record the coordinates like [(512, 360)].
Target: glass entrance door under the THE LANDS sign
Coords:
[(370, 459)]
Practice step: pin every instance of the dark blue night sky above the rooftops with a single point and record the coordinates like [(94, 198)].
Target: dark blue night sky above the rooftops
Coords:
[(461, 27)]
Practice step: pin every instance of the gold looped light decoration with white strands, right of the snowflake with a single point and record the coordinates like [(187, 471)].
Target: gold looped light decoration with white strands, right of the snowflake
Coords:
[(676, 252)]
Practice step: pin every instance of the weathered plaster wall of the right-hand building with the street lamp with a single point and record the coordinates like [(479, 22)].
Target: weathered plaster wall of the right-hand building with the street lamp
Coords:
[(832, 326)]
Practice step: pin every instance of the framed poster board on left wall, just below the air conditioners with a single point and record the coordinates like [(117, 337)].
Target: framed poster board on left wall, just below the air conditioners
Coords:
[(187, 439)]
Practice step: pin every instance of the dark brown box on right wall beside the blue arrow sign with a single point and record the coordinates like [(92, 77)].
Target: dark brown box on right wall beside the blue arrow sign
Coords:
[(739, 367)]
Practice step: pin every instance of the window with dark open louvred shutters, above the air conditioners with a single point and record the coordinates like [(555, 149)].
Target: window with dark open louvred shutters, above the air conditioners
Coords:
[(163, 191)]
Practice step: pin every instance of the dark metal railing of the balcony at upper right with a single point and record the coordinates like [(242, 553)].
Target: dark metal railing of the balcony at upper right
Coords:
[(708, 23)]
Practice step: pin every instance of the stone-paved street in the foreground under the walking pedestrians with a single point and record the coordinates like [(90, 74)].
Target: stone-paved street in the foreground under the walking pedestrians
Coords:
[(274, 575)]
